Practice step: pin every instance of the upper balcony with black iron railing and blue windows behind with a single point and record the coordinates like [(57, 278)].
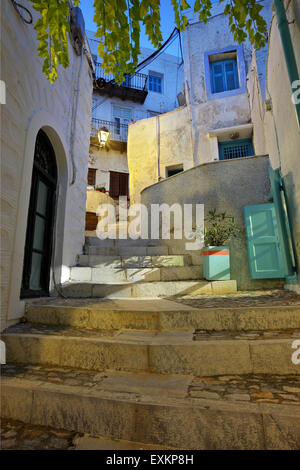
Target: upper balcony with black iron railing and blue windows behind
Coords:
[(133, 88)]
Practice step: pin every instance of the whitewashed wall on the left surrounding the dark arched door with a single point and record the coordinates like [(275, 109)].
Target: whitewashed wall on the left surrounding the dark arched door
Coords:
[(33, 103)]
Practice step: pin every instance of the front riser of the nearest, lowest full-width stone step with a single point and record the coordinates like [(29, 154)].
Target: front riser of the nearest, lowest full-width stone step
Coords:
[(201, 425)]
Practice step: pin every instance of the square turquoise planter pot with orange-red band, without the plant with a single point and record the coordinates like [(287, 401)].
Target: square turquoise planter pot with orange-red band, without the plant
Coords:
[(216, 263)]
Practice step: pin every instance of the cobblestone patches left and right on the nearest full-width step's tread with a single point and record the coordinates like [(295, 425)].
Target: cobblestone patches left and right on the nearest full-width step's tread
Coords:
[(253, 388)]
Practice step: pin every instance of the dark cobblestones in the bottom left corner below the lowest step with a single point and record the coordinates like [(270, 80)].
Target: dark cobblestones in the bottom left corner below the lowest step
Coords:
[(19, 436)]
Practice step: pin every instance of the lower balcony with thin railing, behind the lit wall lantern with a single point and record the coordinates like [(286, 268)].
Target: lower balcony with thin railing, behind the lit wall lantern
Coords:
[(118, 133)]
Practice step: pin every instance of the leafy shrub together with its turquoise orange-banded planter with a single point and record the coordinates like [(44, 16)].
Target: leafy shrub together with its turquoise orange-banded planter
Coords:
[(219, 230)]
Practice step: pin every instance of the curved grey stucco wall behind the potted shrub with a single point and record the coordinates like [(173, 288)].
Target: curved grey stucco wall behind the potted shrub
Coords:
[(227, 186)]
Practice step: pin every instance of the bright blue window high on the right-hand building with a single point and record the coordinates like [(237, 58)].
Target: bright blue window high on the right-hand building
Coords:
[(224, 75)]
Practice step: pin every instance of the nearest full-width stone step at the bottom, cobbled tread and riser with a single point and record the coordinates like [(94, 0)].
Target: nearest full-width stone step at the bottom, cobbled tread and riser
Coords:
[(181, 412)]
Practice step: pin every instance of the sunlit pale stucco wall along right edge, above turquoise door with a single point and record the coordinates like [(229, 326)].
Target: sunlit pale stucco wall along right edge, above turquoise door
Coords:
[(281, 129)]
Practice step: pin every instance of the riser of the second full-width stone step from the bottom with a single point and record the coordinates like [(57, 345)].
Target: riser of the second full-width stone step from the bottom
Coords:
[(198, 358)]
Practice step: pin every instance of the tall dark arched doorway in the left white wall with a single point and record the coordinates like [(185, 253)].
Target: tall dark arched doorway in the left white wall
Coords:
[(39, 234)]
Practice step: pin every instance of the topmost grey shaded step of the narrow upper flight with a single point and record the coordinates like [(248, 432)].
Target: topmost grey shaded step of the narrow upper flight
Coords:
[(127, 250)]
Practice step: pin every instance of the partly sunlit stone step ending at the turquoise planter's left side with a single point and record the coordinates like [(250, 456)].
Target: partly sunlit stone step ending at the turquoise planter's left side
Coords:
[(110, 274)]
